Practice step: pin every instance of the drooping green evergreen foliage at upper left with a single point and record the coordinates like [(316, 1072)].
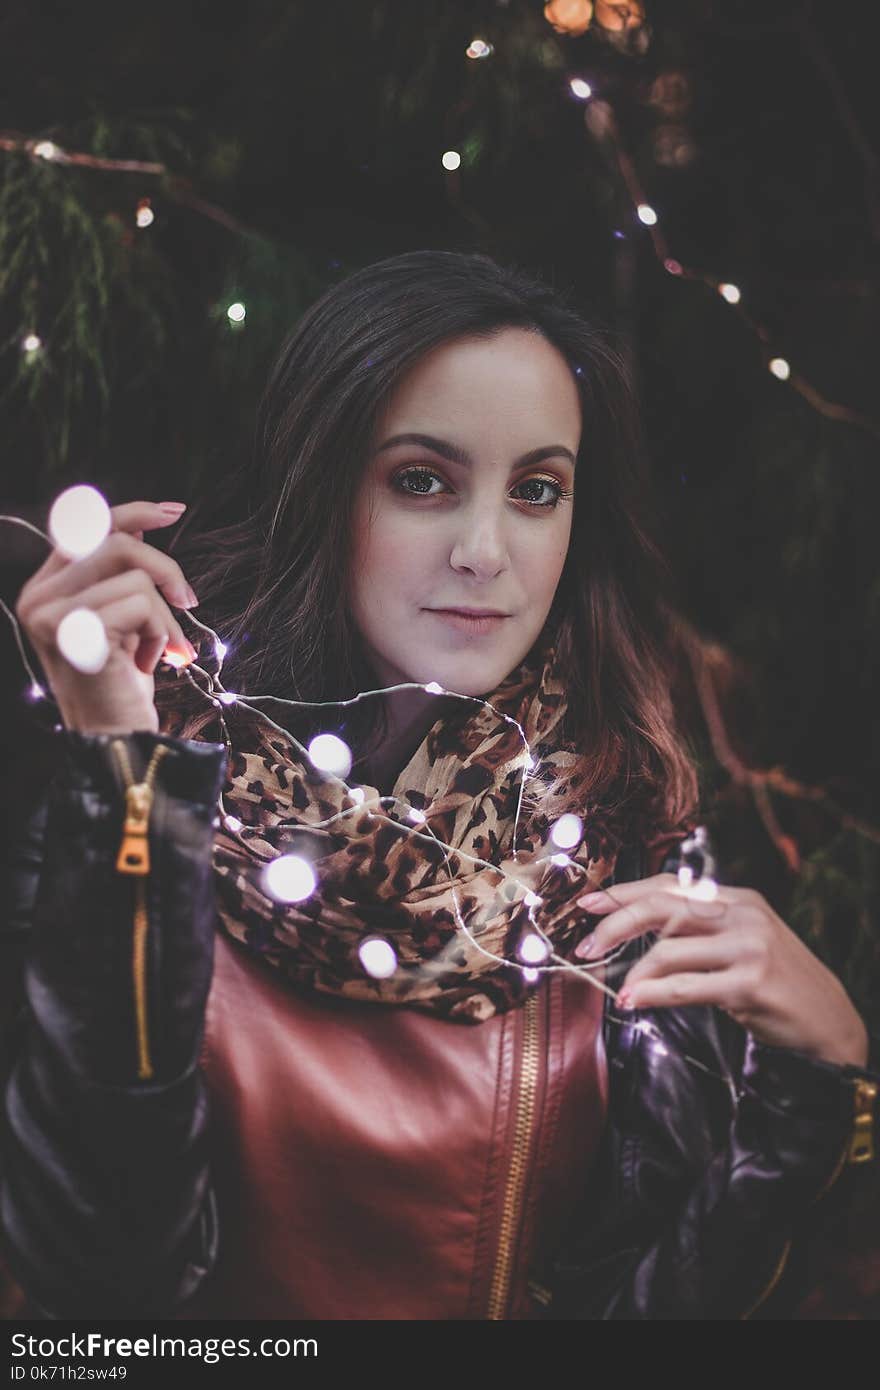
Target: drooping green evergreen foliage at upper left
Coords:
[(74, 273)]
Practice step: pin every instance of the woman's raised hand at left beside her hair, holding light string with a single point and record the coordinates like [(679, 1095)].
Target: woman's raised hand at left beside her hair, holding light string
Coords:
[(120, 582)]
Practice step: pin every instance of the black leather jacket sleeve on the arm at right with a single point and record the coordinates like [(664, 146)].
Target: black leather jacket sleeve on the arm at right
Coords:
[(712, 1241)]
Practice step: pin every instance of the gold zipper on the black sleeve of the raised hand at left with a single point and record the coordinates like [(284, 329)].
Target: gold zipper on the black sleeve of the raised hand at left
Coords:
[(134, 858)]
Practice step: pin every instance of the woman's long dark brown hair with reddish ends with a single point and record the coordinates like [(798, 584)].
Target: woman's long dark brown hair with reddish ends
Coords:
[(275, 582)]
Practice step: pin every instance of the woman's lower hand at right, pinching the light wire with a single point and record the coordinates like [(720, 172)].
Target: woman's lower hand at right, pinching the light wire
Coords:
[(732, 951)]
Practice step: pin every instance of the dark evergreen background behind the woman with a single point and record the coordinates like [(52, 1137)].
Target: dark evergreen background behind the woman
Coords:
[(302, 141)]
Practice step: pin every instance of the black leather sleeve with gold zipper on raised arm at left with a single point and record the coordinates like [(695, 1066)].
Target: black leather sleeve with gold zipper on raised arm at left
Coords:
[(106, 1200)]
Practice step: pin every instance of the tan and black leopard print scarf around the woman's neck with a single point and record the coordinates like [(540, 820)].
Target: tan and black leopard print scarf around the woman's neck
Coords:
[(383, 872)]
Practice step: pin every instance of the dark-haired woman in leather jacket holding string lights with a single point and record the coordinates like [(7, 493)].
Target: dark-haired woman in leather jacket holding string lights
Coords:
[(398, 1090)]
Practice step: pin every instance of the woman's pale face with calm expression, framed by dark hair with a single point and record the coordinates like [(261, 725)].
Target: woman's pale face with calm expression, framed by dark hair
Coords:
[(473, 511)]
